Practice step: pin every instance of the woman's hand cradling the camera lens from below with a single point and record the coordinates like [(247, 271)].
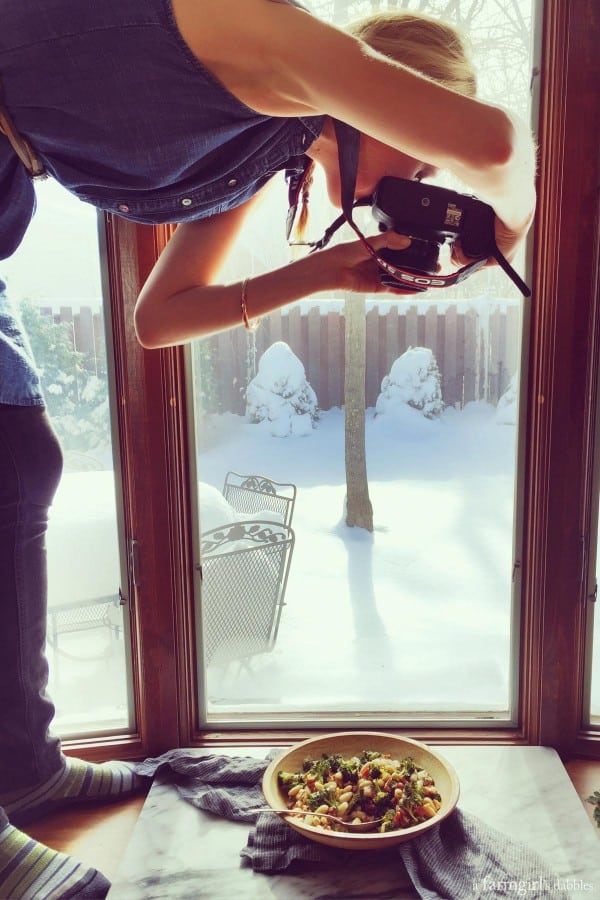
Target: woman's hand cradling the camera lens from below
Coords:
[(354, 269)]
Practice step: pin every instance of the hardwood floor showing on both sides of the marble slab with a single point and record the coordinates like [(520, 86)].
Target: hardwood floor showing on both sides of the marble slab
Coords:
[(98, 835)]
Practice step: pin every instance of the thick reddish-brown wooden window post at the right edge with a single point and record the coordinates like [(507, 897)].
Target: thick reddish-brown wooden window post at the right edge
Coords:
[(563, 385)]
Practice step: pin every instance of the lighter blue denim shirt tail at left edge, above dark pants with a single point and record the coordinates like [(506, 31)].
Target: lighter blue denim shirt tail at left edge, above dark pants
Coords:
[(19, 382)]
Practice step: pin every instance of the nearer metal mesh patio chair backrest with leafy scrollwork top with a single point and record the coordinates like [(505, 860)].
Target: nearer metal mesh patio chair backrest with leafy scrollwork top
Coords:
[(245, 568)]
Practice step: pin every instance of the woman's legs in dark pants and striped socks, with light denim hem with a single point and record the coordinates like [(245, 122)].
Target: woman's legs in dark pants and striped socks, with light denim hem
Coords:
[(35, 776)]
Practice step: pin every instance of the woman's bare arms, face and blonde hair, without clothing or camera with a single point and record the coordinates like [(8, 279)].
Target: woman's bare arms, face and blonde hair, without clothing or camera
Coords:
[(410, 125)]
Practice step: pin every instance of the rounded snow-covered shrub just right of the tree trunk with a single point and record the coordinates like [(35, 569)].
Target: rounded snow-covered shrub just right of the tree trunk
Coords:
[(415, 381)]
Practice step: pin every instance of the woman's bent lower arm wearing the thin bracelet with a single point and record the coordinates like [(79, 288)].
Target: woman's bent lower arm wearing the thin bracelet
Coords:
[(180, 300)]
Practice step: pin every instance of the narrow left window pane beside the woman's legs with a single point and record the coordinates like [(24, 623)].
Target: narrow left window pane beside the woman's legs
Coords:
[(59, 293)]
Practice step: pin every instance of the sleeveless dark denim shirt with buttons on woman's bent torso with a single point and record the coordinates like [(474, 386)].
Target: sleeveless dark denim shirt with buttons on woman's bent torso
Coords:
[(122, 114)]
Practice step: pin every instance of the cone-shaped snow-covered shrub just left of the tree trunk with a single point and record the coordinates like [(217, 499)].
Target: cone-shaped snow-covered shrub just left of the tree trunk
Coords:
[(280, 394)]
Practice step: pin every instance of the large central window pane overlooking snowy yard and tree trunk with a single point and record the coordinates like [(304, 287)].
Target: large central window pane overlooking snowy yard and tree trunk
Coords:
[(375, 617)]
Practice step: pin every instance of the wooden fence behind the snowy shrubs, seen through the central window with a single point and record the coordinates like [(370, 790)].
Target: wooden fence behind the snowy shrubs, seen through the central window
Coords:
[(477, 354)]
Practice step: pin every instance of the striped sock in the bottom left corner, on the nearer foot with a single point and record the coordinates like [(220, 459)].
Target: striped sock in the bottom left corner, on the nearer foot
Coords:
[(31, 871)]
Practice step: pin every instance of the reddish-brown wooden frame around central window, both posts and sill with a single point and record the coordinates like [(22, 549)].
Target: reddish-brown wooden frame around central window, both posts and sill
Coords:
[(559, 445)]
